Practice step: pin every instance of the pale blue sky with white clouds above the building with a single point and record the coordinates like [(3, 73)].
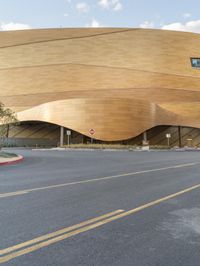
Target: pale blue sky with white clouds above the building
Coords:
[(181, 15)]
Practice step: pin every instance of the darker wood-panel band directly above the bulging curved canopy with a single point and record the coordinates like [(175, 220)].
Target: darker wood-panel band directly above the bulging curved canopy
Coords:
[(158, 95)]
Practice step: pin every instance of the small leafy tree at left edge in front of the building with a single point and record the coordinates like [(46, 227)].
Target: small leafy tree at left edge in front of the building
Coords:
[(7, 116)]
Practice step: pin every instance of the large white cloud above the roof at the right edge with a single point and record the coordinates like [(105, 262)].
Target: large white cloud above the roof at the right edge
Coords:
[(191, 26)]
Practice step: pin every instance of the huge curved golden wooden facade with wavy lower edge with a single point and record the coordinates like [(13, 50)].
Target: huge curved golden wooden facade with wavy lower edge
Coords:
[(119, 82)]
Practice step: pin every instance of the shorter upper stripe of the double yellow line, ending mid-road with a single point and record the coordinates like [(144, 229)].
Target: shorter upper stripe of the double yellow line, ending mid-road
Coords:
[(59, 232)]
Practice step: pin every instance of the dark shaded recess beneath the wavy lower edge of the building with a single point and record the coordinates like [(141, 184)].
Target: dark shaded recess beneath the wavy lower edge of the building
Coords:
[(40, 134)]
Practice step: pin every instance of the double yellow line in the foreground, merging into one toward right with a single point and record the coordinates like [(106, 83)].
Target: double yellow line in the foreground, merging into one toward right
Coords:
[(10, 253)]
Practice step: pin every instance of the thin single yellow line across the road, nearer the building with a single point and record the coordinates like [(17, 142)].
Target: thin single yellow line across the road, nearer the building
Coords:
[(4, 195)]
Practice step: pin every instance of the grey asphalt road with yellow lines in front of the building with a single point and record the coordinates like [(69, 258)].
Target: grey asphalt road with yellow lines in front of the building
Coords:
[(41, 198)]
